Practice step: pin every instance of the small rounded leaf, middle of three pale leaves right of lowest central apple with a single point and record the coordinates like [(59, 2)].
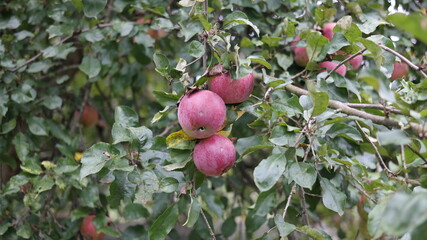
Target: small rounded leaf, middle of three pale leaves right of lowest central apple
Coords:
[(303, 174)]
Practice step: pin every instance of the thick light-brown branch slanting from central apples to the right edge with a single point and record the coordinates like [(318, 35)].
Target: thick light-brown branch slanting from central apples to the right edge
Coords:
[(419, 129)]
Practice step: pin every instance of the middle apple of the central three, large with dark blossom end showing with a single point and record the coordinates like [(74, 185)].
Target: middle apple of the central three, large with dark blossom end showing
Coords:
[(201, 113)]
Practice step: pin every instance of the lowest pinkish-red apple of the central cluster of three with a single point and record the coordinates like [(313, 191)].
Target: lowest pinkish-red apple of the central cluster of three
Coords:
[(215, 155)]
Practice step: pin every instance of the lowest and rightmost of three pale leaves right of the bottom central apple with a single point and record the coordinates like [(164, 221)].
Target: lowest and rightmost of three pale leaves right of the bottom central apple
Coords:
[(332, 198)]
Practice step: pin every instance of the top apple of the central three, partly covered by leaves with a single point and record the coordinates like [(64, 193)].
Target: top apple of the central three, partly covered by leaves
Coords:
[(230, 90)]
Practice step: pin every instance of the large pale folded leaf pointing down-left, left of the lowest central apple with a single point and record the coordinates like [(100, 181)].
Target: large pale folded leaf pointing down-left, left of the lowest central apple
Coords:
[(95, 157)]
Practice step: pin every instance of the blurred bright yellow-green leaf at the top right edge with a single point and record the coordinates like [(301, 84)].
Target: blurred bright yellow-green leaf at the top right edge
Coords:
[(413, 23)]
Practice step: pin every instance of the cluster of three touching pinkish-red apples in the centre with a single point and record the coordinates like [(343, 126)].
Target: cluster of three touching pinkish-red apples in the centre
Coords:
[(202, 113)]
